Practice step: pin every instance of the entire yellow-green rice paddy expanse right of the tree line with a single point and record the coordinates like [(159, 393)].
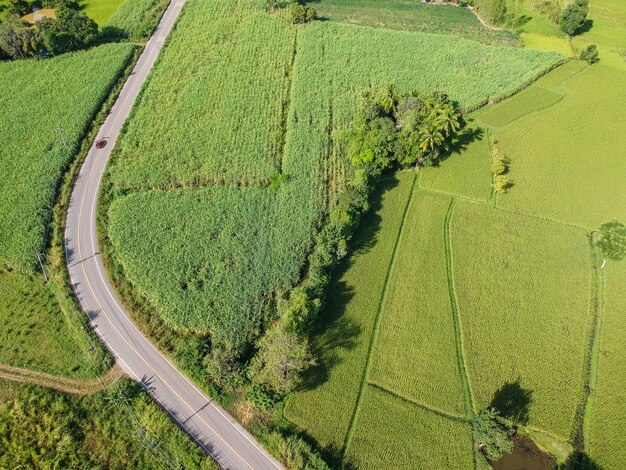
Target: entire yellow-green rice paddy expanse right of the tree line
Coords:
[(517, 273)]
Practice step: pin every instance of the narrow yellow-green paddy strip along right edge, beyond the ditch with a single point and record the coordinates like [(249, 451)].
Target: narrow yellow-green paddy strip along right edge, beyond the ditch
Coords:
[(607, 412)]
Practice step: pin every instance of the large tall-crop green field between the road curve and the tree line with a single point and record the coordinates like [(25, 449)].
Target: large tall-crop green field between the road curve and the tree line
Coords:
[(255, 101)]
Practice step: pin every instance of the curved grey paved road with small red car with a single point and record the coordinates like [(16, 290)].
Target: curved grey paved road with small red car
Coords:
[(211, 427)]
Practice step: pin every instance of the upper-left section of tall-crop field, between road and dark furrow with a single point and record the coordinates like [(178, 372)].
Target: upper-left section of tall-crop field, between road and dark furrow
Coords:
[(233, 84)]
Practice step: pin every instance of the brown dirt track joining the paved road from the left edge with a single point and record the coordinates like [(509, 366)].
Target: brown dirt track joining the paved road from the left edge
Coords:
[(62, 384)]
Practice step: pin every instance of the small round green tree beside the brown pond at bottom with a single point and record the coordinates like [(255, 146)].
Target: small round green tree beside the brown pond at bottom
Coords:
[(492, 434)]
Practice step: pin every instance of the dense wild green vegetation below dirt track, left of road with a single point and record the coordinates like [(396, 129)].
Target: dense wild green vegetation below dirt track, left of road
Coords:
[(115, 429)]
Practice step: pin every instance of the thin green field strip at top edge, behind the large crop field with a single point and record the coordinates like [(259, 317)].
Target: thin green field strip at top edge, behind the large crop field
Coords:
[(413, 15)]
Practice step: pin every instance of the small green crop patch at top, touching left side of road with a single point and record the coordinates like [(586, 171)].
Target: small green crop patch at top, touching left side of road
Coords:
[(134, 19)]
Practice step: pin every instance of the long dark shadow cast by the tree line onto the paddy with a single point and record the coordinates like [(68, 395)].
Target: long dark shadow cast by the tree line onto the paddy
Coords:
[(333, 331)]
